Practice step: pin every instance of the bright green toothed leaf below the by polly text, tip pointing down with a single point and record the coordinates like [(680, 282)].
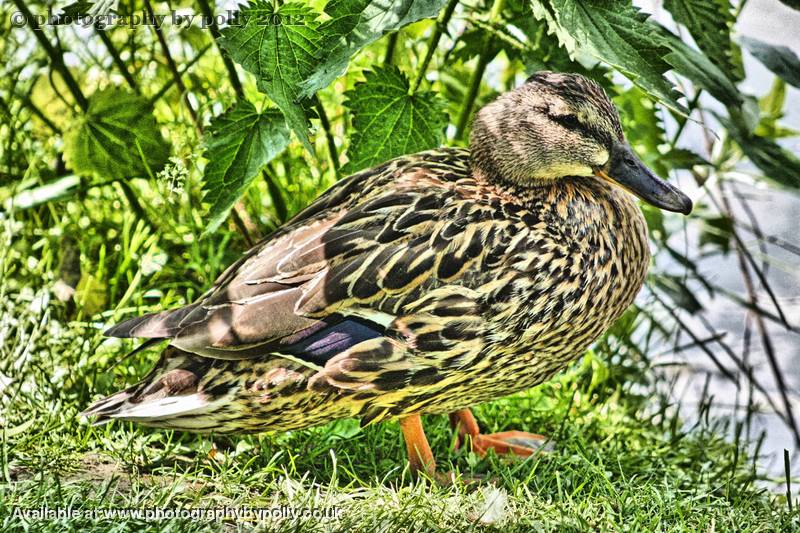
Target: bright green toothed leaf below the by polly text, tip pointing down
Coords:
[(279, 47)]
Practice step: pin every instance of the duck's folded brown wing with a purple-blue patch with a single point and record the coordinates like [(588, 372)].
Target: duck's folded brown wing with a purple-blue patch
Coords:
[(383, 254)]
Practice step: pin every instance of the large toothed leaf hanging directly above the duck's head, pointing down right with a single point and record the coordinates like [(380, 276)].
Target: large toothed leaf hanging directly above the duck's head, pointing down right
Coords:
[(616, 33)]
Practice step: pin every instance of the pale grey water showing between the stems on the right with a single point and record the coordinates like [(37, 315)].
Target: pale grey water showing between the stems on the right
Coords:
[(778, 213)]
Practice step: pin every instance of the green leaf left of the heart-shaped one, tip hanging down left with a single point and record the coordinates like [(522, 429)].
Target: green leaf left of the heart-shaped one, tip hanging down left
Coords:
[(240, 142)]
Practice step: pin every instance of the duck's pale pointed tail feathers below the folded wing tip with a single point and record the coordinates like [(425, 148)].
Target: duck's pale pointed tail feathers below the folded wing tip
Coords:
[(168, 397)]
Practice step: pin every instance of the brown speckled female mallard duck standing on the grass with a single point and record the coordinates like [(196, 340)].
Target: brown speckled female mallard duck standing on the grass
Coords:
[(428, 284)]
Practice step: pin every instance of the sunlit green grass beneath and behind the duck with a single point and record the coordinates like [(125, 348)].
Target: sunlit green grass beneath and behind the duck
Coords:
[(622, 460)]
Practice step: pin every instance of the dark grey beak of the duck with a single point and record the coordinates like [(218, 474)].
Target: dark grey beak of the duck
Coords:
[(625, 169)]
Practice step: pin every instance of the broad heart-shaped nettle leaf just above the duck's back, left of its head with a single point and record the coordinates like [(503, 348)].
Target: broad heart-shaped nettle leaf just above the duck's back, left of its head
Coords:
[(390, 122)]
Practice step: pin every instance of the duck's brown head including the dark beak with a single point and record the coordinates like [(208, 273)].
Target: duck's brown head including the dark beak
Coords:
[(558, 125)]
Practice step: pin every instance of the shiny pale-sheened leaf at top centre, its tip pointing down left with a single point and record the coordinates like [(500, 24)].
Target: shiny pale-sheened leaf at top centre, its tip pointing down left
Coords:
[(353, 25)]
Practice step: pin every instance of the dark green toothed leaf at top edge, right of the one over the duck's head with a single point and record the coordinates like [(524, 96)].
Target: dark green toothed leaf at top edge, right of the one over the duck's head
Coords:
[(709, 22)]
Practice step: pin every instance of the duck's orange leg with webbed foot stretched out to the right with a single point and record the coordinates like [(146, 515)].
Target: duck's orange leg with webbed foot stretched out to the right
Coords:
[(518, 443)]
